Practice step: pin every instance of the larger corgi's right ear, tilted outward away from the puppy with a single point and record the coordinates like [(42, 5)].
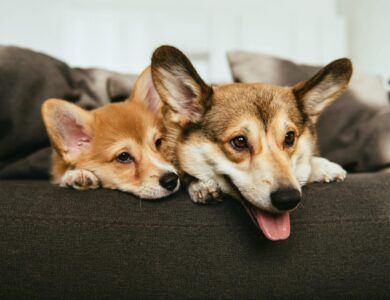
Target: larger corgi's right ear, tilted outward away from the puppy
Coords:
[(321, 90)]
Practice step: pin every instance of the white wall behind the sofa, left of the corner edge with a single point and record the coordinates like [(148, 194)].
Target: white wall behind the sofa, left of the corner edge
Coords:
[(121, 34)]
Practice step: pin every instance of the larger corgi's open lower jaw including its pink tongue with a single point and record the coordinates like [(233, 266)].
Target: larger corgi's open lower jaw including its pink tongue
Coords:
[(275, 226)]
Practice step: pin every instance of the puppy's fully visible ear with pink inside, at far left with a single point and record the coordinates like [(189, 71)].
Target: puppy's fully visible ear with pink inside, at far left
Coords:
[(69, 128)]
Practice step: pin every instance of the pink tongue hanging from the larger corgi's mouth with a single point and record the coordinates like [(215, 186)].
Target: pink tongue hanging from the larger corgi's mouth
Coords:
[(274, 227)]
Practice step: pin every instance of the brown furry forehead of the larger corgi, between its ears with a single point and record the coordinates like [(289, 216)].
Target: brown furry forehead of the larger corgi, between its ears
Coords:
[(260, 101)]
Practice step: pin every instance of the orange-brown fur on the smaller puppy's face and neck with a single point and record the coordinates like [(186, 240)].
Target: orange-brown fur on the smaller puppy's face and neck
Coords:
[(111, 124)]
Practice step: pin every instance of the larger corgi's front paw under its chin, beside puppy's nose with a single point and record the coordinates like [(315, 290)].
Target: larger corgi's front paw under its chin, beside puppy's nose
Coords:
[(204, 192)]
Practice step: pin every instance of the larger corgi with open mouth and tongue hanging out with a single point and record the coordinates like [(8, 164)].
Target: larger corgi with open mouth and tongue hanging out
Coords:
[(256, 142)]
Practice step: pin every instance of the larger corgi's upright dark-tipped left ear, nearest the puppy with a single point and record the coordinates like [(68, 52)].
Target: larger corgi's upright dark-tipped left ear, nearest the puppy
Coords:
[(179, 85)]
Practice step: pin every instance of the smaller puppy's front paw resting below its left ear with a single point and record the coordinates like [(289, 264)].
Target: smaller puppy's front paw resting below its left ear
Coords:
[(79, 179)]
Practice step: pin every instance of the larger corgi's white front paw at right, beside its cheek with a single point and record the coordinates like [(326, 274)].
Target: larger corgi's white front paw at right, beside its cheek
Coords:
[(324, 170)]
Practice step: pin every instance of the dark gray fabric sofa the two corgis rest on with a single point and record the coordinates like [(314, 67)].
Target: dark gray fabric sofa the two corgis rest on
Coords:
[(64, 244)]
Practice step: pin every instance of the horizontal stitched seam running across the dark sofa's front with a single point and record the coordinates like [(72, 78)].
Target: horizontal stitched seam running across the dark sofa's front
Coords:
[(107, 222)]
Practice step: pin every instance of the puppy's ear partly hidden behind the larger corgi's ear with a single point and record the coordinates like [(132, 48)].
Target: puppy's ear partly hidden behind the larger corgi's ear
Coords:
[(145, 92)]
